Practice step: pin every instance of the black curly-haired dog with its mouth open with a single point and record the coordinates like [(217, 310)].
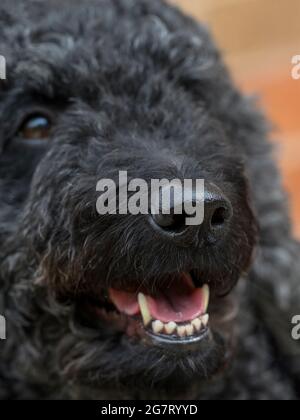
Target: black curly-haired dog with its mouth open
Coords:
[(99, 87)]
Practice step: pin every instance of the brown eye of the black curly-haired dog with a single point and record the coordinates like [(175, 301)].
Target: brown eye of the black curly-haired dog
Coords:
[(36, 127)]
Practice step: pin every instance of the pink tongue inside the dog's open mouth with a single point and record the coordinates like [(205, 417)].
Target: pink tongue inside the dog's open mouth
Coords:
[(179, 303)]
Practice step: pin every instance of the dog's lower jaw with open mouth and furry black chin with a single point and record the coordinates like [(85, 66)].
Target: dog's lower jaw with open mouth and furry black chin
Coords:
[(178, 334)]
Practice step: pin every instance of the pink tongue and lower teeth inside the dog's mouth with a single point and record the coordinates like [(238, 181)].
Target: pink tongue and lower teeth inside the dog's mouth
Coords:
[(176, 313)]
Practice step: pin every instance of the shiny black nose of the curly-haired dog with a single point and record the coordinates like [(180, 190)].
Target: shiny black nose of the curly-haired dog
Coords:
[(212, 227)]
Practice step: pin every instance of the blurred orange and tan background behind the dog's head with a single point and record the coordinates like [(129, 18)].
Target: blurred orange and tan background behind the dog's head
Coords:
[(259, 39)]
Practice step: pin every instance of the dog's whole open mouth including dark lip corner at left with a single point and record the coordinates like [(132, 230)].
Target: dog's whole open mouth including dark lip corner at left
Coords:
[(175, 314)]
